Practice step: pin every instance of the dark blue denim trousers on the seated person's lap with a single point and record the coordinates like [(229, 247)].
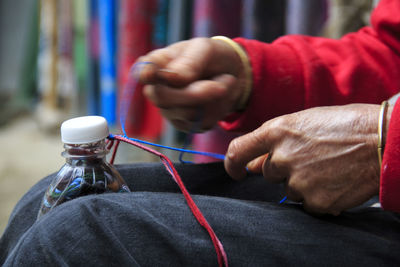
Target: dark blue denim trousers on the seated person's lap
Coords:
[(153, 226)]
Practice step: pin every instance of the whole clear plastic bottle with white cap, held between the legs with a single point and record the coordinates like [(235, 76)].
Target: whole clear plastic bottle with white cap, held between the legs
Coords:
[(86, 170)]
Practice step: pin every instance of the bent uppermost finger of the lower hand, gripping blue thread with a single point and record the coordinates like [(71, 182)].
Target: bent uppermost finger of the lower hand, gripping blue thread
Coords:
[(244, 149)]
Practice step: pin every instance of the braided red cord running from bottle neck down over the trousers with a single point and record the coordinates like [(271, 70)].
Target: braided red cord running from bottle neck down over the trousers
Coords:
[(221, 255)]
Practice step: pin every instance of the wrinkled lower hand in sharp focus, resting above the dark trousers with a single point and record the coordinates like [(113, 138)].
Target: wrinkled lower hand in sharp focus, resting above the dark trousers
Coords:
[(327, 156)]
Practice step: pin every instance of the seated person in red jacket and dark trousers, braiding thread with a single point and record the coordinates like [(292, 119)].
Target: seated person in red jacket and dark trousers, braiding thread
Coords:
[(284, 95)]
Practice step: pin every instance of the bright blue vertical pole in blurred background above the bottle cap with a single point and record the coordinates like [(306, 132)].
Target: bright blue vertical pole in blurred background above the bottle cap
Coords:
[(108, 97)]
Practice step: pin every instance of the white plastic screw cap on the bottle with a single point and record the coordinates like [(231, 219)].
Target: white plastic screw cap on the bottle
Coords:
[(82, 130)]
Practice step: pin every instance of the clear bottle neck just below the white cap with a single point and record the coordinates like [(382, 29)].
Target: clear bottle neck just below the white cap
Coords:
[(93, 152)]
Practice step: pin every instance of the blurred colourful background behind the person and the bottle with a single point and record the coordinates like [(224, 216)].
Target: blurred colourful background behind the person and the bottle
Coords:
[(65, 58)]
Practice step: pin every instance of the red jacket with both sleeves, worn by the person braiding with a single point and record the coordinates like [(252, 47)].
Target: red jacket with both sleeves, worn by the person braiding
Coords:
[(297, 72)]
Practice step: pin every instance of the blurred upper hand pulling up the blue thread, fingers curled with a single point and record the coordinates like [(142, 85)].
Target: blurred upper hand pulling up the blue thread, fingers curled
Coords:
[(194, 83)]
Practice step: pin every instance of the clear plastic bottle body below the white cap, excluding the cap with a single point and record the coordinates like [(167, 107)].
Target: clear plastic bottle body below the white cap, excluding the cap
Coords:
[(85, 172)]
